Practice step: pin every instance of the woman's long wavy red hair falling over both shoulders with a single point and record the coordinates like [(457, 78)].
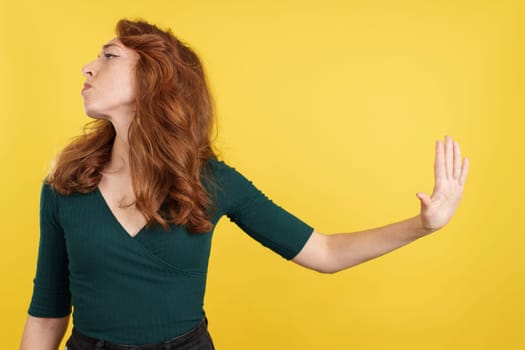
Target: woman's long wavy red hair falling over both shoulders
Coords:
[(169, 136)]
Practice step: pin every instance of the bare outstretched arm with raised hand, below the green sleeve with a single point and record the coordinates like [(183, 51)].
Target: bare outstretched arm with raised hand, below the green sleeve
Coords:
[(332, 253)]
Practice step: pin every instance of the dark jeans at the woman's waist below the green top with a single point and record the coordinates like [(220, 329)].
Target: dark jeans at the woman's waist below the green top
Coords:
[(196, 339)]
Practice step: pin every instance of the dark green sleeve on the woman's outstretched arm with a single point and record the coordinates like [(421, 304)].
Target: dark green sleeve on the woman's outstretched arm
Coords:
[(259, 216)]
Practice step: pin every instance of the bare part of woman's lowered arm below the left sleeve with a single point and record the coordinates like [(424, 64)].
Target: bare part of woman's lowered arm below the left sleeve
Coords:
[(43, 333)]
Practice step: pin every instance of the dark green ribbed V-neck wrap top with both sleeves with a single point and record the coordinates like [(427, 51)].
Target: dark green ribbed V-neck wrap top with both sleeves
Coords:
[(150, 287)]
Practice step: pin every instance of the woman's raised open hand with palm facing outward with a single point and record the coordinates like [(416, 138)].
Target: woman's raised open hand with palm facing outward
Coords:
[(450, 174)]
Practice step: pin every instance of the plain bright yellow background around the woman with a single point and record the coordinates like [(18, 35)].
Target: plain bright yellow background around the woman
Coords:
[(332, 108)]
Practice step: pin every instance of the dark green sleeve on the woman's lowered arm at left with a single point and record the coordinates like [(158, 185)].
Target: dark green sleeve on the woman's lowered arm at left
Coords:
[(51, 296)]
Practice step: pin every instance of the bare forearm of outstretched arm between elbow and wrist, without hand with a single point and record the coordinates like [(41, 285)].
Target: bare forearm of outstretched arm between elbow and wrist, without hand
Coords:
[(349, 249)]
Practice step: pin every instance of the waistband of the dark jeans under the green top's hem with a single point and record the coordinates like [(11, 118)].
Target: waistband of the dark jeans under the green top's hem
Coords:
[(191, 335)]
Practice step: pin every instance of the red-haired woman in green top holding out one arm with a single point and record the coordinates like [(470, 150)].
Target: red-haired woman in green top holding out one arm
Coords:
[(128, 211)]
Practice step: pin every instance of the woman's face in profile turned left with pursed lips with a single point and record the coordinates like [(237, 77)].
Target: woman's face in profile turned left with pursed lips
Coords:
[(109, 91)]
